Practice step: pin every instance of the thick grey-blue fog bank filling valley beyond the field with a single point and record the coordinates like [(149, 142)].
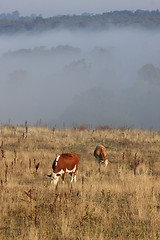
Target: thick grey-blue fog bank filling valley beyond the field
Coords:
[(81, 77)]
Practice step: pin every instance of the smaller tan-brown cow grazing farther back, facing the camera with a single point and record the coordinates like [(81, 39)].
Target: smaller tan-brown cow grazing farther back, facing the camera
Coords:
[(100, 153)]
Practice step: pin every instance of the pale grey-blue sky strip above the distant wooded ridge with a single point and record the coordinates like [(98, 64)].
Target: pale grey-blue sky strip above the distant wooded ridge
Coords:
[(63, 7)]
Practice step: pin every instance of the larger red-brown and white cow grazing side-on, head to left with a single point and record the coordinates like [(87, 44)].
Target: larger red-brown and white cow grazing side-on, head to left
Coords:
[(64, 163)]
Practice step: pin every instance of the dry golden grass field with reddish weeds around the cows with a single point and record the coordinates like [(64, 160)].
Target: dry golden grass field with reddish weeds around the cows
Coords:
[(120, 201)]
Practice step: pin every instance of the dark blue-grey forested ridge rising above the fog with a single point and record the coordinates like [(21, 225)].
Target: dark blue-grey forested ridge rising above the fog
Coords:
[(13, 23)]
